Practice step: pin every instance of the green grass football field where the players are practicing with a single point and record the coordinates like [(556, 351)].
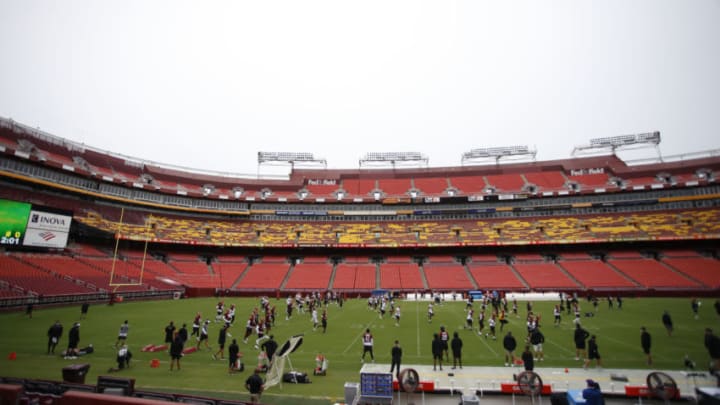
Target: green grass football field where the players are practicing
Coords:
[(617, 330)]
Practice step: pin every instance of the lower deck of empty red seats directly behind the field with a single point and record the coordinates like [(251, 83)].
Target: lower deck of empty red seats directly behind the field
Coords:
[(55, 274)]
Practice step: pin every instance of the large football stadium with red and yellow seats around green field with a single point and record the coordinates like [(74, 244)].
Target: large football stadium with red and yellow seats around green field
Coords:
[(152, 242)]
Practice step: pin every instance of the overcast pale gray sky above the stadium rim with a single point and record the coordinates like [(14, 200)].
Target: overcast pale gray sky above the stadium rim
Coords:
[(208, 84)]
